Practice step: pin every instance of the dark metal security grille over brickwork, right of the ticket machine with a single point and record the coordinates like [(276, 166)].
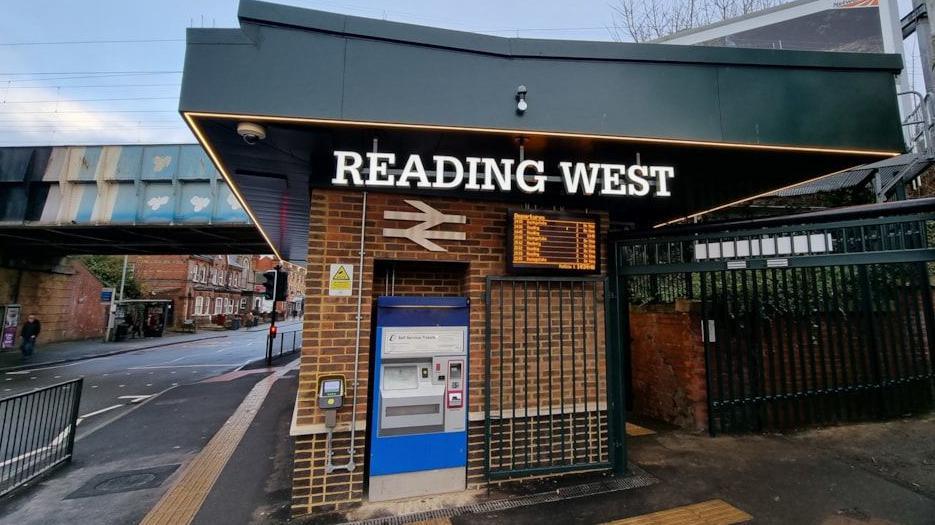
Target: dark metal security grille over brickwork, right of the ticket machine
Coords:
[(546, 386)]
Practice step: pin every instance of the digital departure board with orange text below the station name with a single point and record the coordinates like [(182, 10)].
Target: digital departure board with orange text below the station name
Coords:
[(553, 242)]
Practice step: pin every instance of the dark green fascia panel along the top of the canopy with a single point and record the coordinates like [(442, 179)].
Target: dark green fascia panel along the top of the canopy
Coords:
[(302, 63)]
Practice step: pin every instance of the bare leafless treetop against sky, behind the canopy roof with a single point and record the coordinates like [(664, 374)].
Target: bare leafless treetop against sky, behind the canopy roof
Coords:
[(646, 20)]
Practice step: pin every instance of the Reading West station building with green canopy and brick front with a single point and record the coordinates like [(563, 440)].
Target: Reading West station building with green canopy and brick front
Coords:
[(464, 205)]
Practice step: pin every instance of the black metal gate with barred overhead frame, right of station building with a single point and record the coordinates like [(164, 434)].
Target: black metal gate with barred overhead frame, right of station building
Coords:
[(802, 325)]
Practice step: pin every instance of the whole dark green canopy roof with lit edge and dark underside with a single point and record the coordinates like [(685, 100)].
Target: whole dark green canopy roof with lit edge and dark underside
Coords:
[(733, 122)]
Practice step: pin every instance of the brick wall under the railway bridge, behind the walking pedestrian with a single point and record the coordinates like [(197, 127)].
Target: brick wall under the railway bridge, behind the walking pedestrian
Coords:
[(66, 302)]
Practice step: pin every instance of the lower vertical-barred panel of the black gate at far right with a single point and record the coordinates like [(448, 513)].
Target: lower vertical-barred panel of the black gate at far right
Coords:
[(819, 345)]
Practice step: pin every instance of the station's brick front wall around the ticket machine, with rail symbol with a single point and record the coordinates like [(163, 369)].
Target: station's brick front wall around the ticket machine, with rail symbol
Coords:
[(329, 329)]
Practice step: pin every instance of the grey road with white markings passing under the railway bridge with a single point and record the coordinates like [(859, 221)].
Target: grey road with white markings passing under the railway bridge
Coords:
[(112, 385)]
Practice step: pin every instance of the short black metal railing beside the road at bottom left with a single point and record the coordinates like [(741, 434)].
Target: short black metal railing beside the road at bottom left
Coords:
[(37, 432)]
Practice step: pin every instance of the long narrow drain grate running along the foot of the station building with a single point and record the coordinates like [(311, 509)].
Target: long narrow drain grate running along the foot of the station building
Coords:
[(637, 478)]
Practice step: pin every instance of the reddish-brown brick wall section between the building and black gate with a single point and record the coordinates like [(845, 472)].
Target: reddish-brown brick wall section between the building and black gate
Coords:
[(667, 353)]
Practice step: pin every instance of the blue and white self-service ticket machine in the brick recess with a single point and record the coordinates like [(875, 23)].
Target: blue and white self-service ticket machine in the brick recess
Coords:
[(418, 430)]
